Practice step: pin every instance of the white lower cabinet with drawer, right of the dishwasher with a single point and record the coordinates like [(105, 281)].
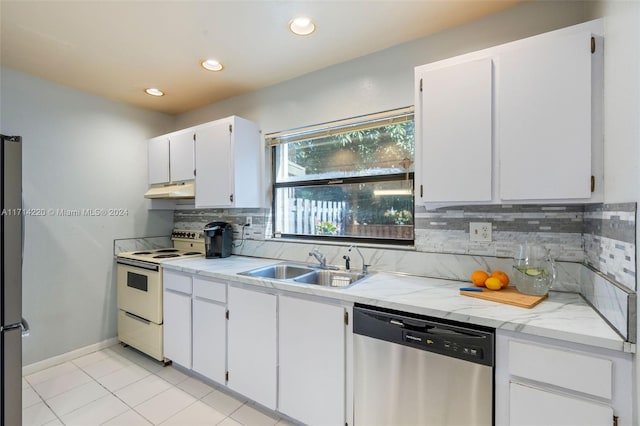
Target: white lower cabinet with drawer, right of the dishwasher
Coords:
[(542, 381)]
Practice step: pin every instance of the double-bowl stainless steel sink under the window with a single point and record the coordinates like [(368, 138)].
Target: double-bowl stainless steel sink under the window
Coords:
[(303, 274)]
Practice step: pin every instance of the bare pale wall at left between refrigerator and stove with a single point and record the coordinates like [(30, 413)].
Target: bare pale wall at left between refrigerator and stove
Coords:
[(79, 151)]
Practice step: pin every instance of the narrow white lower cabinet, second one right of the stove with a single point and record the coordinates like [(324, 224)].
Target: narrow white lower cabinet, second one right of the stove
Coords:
[(209, 329)]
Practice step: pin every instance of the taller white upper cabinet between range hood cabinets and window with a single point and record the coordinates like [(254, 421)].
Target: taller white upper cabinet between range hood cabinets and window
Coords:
[(228, 164)]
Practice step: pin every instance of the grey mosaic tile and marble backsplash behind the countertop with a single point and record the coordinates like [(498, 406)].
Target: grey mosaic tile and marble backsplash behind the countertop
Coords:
[(595, 245)]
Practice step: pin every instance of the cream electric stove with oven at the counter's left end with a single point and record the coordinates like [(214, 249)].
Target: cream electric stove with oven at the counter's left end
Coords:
[(139, 279)]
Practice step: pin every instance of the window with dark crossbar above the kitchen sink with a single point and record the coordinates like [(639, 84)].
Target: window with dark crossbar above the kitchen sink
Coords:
[(347, 180)]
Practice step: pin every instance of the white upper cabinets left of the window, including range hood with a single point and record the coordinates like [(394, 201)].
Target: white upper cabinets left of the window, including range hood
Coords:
[(216, 164)]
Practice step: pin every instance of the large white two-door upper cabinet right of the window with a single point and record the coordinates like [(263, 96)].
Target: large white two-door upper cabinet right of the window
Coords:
[(520, 122)]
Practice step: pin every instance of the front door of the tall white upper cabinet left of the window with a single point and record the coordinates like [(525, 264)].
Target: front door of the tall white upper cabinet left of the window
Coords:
[(214, 166)]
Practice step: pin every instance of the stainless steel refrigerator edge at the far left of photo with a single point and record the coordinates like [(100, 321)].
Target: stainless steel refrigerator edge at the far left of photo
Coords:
[(12, 325)]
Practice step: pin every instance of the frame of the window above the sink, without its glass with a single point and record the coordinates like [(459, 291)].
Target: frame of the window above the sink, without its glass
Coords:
[(385, 118)]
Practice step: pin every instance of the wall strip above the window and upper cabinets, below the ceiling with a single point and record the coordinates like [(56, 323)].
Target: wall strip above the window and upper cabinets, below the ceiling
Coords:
[(383, 80)]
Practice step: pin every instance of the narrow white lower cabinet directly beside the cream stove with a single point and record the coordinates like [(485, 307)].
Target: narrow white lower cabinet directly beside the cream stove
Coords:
[(177, 318)]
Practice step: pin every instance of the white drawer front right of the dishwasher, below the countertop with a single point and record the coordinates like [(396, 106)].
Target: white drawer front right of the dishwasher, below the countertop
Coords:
[(570, 370)]
